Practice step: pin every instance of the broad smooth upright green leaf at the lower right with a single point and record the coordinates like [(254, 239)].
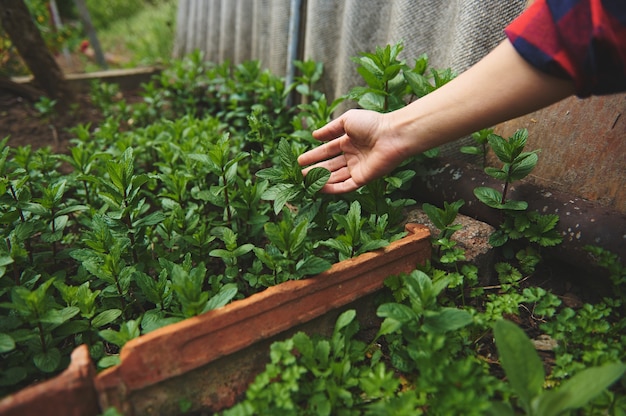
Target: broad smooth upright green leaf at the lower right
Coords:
[(520, 361)]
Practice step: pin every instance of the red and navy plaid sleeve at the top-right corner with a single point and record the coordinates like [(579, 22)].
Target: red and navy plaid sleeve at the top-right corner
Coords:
[(583, 40)]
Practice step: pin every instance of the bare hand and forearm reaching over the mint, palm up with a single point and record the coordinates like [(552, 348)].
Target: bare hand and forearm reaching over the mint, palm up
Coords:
[(364, 145)]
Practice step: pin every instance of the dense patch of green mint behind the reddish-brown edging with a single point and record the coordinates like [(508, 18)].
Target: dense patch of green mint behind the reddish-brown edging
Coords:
[(163, 215)]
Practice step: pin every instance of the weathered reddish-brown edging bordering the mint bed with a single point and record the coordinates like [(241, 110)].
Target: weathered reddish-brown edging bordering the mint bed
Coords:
[(209, 360)]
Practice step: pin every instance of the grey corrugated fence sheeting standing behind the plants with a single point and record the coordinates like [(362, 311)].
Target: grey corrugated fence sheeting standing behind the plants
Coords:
[(453, 33)]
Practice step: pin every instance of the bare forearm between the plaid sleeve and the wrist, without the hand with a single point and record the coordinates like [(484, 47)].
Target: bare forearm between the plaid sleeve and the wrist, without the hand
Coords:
[(500, 87)]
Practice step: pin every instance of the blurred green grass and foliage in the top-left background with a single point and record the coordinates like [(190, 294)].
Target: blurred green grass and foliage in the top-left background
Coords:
[(132, 33)]
